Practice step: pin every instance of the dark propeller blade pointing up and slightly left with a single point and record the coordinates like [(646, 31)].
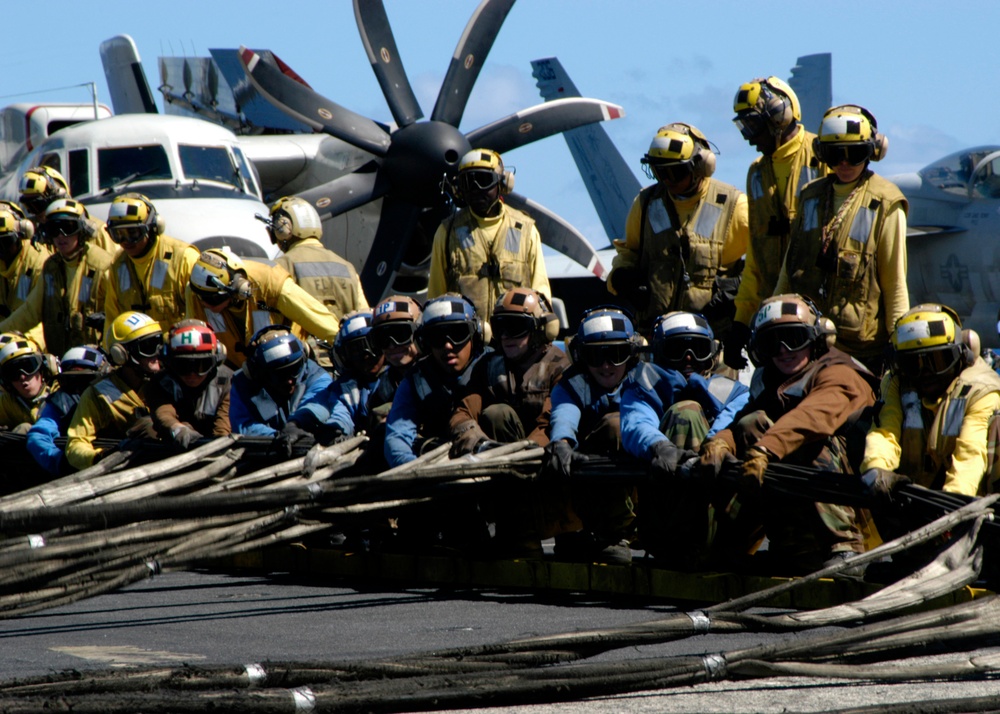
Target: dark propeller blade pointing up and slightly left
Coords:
[(376, 34)]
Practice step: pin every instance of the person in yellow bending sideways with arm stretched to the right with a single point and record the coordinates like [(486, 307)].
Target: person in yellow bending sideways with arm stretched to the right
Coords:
[(238, 298)]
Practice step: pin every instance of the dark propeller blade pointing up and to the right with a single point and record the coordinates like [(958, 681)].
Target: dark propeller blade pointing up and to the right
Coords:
[(467, 62)]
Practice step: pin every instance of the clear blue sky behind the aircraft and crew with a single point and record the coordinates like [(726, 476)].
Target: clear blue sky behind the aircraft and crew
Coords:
[(926, 69)]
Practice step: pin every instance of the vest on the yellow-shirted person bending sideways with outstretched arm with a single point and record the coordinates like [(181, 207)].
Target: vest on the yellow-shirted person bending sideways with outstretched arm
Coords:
[(235, 325)]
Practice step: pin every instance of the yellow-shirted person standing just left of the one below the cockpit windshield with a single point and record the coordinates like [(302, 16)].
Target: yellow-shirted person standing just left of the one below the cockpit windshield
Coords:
[(68, 303)]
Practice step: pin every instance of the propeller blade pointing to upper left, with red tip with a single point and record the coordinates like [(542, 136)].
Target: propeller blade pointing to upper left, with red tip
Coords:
[(301, 103)]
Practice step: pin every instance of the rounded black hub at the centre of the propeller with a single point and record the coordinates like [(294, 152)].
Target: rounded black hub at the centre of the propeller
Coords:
[(420, 155)]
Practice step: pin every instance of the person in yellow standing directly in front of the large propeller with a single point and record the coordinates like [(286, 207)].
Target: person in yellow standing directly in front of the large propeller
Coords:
[(487, 247)]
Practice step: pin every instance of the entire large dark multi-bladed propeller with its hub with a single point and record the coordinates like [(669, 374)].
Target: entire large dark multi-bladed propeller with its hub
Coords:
[(411, 161)]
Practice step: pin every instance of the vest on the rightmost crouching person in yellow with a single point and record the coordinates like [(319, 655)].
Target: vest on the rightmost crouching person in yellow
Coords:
[(926, 449)]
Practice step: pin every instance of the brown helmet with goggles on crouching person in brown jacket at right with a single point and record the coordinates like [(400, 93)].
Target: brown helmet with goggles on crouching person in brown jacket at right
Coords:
[(790, 321)]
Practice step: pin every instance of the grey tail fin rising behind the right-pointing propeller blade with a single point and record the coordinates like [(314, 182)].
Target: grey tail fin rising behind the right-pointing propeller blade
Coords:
[(611, 184)]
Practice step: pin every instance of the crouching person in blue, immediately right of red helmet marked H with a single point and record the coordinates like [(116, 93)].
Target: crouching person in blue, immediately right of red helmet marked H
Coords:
[(279, 391)]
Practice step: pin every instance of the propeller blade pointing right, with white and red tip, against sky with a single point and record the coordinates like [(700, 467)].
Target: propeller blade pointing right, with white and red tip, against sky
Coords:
[(542, 120)]
